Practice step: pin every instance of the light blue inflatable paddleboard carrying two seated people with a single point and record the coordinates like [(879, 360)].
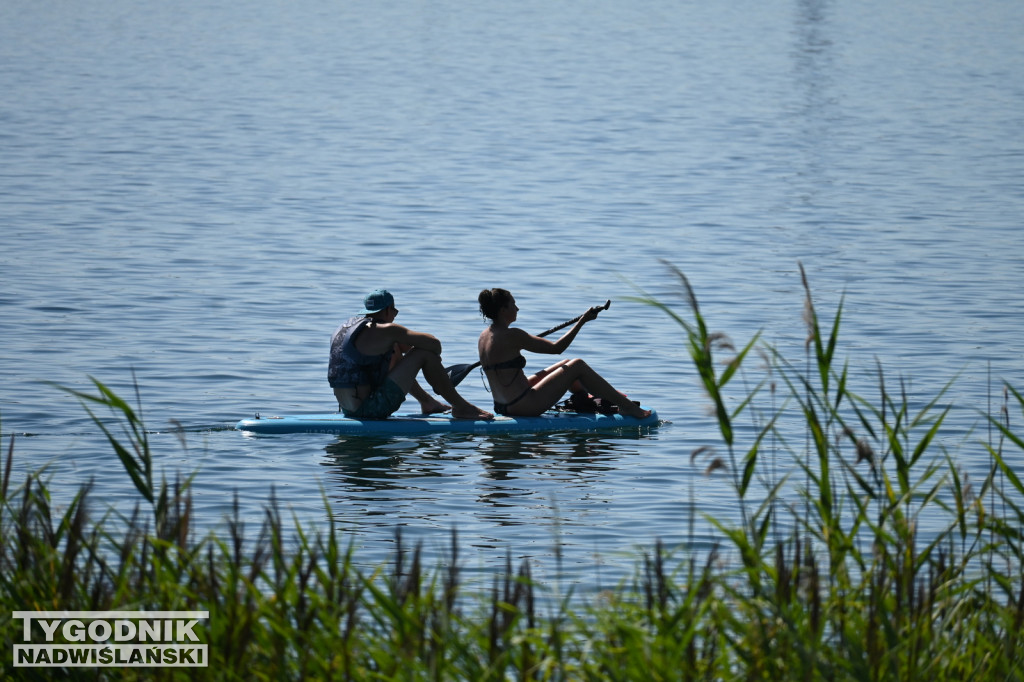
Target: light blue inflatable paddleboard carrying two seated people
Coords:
[(420, 424)]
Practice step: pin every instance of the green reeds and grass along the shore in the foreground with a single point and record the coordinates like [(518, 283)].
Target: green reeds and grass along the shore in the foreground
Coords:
[(832, 576)]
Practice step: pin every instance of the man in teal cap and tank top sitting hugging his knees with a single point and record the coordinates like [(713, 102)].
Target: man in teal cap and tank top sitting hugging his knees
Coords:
[(374, 364)]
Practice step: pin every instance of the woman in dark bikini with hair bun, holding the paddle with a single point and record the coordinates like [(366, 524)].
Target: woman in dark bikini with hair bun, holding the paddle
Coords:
[(501, 350)]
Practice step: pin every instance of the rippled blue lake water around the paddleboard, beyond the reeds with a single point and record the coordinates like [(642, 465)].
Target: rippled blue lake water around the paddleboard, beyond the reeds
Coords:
[(201, 195)]
